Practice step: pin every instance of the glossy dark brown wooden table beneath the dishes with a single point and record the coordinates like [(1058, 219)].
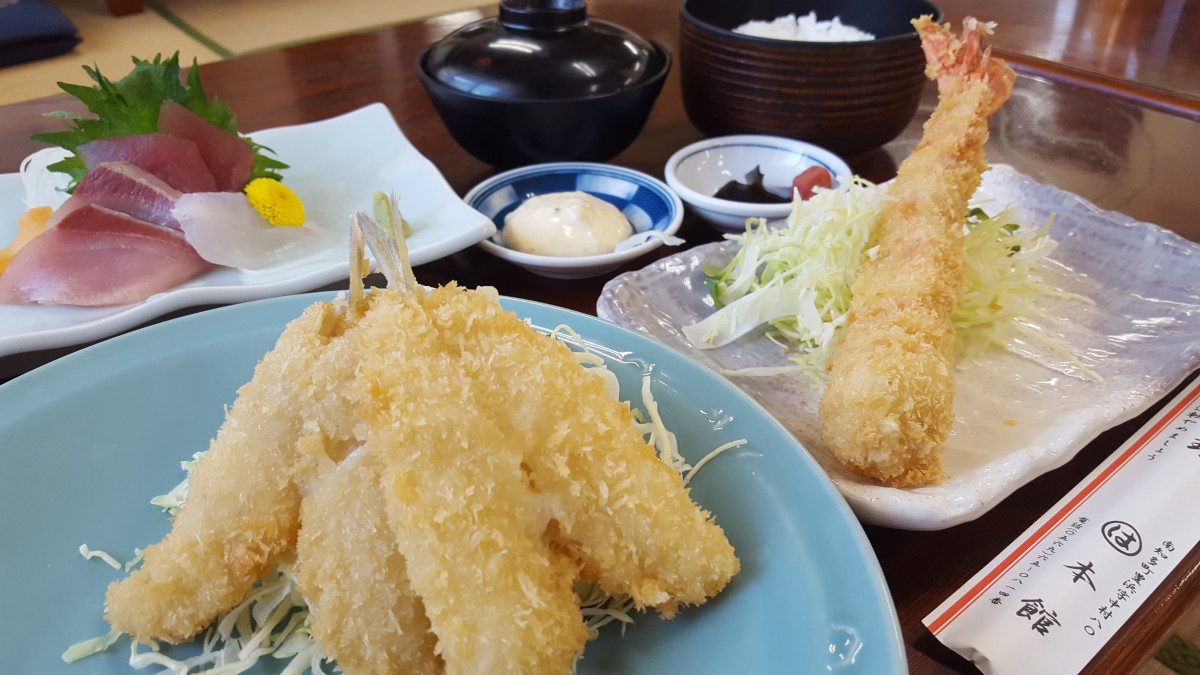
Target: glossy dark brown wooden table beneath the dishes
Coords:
[(1077, 121)]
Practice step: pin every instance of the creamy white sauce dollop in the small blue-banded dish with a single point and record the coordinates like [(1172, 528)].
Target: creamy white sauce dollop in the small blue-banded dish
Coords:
[(566, 225)]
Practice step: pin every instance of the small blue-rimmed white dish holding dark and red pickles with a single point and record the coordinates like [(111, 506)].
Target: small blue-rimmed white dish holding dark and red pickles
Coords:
[(729, 214)]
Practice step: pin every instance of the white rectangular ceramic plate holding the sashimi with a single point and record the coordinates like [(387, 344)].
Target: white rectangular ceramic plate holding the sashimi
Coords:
[(335, 166)]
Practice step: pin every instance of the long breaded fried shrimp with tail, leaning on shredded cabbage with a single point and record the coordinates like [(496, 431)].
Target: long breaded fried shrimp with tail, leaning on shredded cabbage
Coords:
[(890, 404)]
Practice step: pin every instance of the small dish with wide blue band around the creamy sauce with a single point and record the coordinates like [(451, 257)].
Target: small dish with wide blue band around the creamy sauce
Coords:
[(653, 211)]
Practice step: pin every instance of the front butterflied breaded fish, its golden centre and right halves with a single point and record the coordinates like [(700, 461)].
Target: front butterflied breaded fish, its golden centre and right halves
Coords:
[(512, 471)]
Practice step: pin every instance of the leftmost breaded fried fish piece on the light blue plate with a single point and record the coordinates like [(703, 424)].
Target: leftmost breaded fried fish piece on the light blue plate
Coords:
[(242, 510)]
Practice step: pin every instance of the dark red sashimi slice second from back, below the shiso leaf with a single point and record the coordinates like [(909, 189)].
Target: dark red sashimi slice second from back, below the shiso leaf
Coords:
[(177, 162)]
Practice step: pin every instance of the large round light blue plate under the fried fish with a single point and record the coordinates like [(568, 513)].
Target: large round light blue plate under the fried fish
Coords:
[(87, 441)]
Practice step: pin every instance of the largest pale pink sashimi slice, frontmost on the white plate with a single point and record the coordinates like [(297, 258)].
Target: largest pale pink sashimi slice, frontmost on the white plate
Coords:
[(99, 258)]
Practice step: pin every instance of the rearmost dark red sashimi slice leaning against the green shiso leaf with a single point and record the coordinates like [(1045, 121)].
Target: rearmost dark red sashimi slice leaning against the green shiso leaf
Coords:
[(229, 157)]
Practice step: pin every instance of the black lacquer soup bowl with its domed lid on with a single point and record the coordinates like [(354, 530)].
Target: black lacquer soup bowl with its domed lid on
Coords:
[(543, 82)]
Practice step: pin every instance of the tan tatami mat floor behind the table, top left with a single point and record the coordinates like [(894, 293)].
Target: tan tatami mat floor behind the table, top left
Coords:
[(207, 31)]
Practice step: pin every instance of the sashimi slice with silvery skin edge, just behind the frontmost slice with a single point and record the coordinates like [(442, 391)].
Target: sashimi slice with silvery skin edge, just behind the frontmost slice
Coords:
[(125, 188)]
